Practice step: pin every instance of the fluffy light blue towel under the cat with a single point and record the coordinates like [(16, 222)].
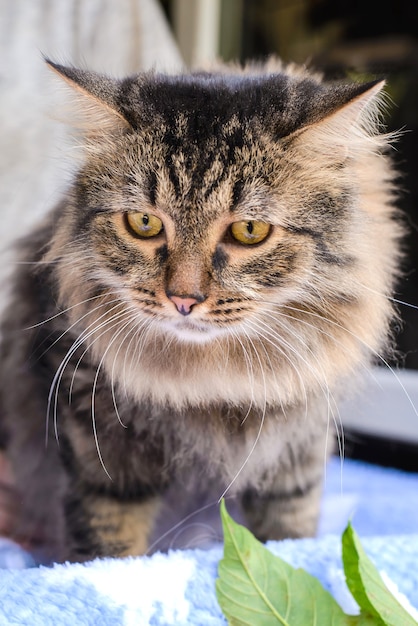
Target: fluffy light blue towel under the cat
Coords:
[(178, 587)]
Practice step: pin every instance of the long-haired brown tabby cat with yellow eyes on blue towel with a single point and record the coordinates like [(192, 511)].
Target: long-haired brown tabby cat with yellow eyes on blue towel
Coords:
[(217, 276)]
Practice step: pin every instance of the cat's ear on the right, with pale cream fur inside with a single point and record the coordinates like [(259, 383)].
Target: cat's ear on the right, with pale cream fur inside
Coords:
[(351, 119)]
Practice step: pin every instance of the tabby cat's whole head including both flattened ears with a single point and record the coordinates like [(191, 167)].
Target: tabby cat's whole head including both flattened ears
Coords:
[(208, 200)]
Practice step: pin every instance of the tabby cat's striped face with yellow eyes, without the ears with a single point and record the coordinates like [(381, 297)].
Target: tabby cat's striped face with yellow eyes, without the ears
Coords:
[(197, 247)]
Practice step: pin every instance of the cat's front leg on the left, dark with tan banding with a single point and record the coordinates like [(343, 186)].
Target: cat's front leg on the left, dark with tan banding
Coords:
[(112, 500)]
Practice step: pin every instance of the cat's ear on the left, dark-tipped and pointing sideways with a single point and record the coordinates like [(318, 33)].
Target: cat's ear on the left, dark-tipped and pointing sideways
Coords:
[(96, 110)]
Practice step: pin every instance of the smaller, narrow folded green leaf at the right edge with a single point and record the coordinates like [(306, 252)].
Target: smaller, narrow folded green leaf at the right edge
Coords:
[(367, 586)]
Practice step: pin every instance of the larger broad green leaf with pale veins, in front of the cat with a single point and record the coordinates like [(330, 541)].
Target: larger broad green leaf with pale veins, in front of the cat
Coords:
[(256, 588)]
